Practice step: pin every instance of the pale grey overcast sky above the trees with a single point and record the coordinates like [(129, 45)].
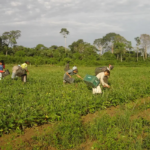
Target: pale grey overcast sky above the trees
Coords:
[(40, 21)]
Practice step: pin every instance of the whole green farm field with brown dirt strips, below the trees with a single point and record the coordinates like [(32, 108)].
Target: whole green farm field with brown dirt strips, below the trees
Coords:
[(72, 115)]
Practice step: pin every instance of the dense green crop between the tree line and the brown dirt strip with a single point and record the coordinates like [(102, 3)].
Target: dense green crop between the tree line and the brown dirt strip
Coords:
[(45, 97)]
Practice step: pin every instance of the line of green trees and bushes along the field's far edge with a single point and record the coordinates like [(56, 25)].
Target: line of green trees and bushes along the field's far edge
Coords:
[(112, 46)]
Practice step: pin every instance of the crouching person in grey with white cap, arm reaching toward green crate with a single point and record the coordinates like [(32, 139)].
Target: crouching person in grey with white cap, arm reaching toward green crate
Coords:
[(67, 76)]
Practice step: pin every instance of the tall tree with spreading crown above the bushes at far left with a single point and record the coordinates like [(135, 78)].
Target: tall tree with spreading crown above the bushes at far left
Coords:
[(9, 38)]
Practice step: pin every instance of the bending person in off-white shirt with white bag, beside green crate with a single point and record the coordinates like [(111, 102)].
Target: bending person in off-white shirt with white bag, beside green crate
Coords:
[(101, 76)]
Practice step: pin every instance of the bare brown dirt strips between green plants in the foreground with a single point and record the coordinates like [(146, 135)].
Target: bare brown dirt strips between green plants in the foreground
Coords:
[(26, 138)]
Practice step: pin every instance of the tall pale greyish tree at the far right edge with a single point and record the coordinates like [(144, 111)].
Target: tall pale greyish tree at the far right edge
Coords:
[(145, 43)]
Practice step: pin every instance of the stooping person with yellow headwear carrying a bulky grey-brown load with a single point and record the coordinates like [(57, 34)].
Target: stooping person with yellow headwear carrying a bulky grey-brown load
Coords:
[(20, 71)]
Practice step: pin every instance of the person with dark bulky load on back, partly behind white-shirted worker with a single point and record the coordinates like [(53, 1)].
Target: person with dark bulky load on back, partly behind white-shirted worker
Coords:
[(102, 69)]
